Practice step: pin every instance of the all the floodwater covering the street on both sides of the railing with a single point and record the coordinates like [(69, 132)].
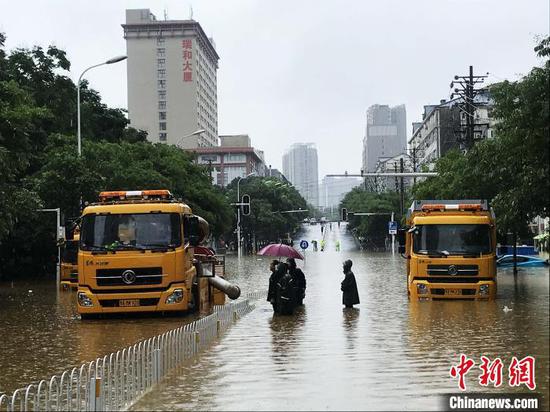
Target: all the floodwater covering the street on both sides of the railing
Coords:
[(387, 353)]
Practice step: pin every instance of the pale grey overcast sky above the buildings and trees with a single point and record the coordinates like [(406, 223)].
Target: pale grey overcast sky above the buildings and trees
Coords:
[(304, 71)]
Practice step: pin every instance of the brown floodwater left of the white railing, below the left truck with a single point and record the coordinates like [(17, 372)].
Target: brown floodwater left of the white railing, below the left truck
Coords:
[(42, 334)]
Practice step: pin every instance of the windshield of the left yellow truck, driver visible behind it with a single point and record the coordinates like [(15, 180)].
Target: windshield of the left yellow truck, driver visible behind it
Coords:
[(130, 231)]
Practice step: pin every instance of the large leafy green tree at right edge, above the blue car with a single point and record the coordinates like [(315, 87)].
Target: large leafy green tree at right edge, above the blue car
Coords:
[(523, 112)]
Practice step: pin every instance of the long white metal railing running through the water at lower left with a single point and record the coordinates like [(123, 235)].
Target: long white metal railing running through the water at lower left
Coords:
[(116, 381)]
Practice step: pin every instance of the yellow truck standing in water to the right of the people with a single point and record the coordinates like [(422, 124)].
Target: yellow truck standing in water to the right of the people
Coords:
[(450, 247)]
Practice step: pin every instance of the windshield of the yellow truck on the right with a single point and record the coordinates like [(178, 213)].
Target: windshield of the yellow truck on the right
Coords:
[(452, 239)]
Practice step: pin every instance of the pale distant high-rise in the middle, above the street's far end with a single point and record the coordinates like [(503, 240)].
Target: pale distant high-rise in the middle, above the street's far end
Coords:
[(301, 169)]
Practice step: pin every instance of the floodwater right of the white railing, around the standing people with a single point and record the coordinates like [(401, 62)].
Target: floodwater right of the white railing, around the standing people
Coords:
[(385, 354)]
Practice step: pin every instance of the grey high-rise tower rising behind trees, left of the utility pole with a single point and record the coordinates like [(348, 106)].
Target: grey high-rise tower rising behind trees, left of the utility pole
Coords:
[(385, 134)]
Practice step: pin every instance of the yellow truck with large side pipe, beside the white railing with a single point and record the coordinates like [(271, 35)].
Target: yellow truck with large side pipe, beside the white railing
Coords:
[(137, 254)]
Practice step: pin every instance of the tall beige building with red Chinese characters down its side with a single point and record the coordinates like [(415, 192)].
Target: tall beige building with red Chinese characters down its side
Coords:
[(172, 85)]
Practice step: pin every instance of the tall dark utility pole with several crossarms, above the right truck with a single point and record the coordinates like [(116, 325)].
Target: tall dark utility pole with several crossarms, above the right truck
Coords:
[(468, 107)]
